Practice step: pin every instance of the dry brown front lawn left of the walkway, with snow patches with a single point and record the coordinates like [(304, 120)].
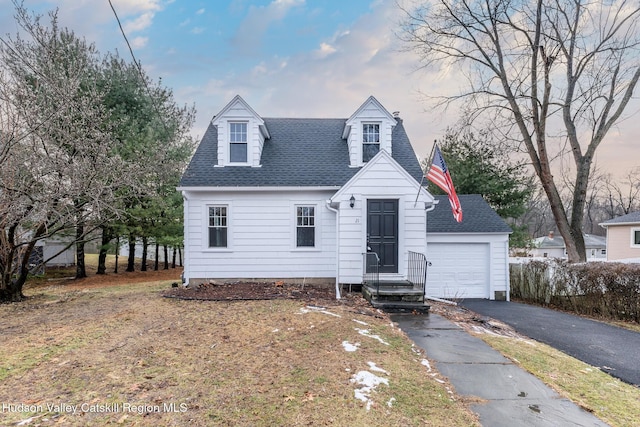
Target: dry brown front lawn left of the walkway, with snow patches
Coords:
[(124, 355)]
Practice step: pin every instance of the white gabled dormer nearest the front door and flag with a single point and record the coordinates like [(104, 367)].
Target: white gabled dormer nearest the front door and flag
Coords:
[(368, 131)]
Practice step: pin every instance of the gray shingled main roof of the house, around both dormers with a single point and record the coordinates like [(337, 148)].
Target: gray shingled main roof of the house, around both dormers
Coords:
[(300, 153)]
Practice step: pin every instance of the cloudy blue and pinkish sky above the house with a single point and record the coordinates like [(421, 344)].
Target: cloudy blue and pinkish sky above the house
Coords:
[(297, 58)]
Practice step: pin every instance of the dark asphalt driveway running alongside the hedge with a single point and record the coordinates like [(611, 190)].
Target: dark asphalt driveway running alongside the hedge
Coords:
[(614, 350)]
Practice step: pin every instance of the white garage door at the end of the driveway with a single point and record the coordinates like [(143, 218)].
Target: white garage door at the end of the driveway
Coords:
[(458, 270)]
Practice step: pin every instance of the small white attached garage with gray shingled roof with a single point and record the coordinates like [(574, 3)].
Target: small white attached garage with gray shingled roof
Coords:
[(468, 259)]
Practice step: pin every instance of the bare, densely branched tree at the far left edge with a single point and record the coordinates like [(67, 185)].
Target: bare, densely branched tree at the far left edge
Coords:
[(58, 169)]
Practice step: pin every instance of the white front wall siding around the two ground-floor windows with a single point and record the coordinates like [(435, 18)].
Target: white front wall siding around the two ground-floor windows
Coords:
[(261, 237)]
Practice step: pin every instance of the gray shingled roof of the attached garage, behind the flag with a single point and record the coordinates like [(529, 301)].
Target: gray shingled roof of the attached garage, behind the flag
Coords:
[(477, 217)]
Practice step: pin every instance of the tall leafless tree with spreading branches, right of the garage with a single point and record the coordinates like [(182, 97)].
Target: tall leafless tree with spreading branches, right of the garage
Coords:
[(560, 73)]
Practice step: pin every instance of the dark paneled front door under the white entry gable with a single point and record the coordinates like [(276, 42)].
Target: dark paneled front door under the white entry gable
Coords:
[(382, 232)]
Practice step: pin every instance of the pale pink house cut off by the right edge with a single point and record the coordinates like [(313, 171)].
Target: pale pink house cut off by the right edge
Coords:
[(623, 238)]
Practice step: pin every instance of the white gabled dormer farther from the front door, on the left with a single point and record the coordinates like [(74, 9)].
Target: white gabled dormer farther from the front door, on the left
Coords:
[(241, 134)]
